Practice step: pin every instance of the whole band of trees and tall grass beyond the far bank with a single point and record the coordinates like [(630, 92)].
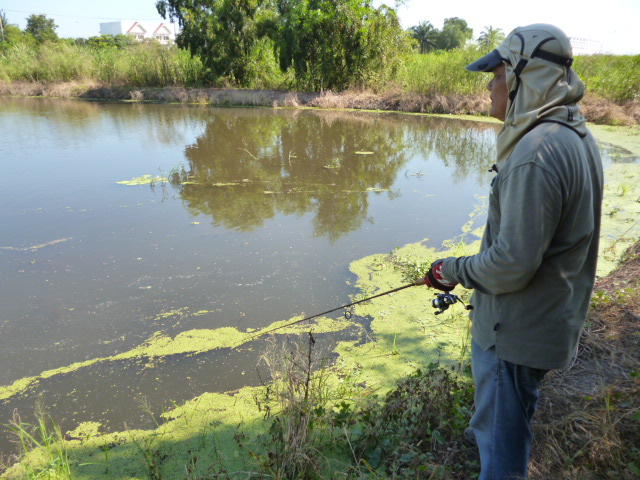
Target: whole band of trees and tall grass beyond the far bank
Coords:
[(294, 46)]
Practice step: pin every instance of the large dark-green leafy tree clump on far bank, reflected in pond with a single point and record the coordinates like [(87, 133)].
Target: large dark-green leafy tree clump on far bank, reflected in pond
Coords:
[(329, 44)]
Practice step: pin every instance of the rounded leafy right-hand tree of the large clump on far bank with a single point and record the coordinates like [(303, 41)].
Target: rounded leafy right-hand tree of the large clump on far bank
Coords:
[(363, 51)]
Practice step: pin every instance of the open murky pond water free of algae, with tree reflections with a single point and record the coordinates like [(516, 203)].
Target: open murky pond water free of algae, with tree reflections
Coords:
[(255, 217)]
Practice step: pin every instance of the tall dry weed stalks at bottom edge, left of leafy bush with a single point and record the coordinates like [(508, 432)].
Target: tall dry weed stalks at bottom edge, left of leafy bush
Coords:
[(306, 416)]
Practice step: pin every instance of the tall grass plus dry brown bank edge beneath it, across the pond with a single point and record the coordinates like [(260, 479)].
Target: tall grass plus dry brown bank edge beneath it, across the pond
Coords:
[(432, 83)]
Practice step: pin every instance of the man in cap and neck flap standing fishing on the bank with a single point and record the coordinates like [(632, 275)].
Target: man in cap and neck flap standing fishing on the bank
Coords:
[(535, 271)]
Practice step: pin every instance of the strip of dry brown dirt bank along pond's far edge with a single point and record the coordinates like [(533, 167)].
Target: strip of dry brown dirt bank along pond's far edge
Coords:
[(596, 110)]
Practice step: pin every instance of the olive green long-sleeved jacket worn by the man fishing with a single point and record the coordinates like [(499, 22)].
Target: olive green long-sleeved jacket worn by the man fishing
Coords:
[(535, 272)]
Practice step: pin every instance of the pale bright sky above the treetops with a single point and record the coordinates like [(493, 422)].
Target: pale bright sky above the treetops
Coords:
[(610, 23)]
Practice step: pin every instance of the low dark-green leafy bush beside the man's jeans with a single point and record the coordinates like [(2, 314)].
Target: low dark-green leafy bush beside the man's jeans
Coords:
[(419, 423)]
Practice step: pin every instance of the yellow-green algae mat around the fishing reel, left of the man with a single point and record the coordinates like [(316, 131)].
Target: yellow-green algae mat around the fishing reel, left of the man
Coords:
[(406, 332)]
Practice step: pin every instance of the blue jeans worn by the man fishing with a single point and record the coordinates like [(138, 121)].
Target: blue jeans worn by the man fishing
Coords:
[(505, 399)]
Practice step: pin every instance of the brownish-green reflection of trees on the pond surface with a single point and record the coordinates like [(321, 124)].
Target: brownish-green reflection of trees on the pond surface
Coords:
[(247, 168)]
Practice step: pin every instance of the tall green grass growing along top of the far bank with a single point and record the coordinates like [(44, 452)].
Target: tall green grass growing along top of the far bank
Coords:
[(609, 77)]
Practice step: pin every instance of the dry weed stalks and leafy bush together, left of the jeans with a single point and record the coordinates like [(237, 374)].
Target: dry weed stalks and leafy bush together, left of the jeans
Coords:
[(318, 429)]
